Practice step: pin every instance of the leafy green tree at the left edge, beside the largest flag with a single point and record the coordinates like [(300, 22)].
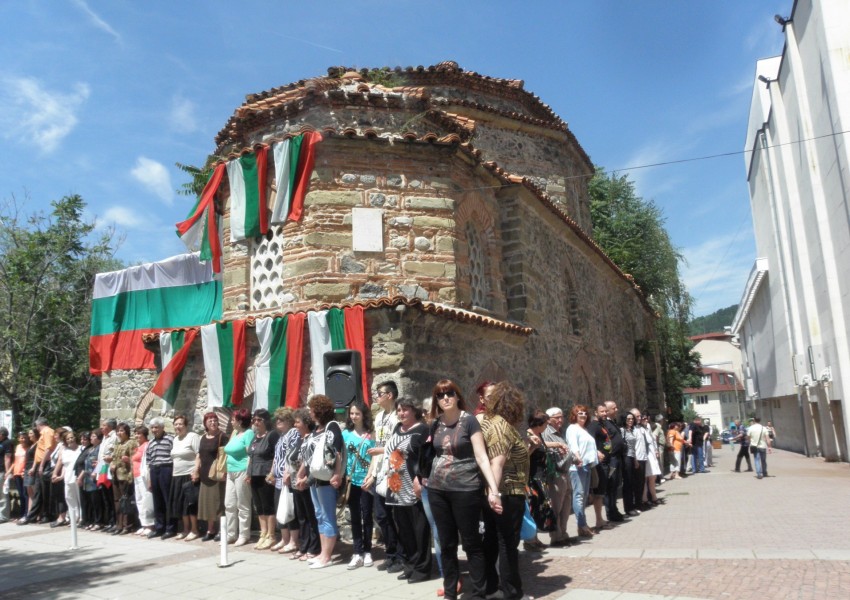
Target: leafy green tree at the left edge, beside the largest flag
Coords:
[(47, 269)]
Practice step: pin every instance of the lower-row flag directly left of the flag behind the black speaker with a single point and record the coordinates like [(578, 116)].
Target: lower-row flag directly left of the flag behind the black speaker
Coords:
[(278, 364)]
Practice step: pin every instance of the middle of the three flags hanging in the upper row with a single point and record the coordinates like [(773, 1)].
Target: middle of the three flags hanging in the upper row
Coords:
[(248, 176)]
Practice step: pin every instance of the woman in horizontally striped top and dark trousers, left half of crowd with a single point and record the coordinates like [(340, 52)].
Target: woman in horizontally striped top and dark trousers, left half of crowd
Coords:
[(161, 470)]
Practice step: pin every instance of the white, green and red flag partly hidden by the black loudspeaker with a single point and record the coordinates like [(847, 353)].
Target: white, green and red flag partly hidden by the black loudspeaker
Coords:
[(336, 329)]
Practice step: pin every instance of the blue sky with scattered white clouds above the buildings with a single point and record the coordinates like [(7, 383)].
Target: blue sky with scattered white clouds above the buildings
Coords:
[(102, 98)]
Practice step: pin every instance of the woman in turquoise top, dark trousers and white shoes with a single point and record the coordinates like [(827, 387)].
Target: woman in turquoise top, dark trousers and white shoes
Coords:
[(358, 440)]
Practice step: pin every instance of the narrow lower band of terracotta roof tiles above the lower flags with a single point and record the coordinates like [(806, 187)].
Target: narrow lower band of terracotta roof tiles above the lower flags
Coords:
[(434, 308)]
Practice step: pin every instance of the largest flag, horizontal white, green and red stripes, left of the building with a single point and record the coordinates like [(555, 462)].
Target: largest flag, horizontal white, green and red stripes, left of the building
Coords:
[(177, 292)]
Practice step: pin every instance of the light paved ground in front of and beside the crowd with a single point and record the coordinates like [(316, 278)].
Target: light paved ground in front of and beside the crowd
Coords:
[(719, 535)]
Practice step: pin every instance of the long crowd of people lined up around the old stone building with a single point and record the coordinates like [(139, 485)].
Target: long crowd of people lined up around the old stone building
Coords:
[(429, 476)]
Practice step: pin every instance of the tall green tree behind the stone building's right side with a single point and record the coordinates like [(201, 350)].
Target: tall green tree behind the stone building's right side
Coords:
[(631, 231)]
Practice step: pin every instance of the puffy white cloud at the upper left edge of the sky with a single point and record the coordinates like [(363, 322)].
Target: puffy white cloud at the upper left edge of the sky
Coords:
[(32, 114)]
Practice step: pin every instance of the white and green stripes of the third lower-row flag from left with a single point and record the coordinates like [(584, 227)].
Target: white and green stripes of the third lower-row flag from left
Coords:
[(270, 365)]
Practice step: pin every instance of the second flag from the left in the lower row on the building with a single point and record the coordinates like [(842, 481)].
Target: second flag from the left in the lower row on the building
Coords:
[(224, 361)]
